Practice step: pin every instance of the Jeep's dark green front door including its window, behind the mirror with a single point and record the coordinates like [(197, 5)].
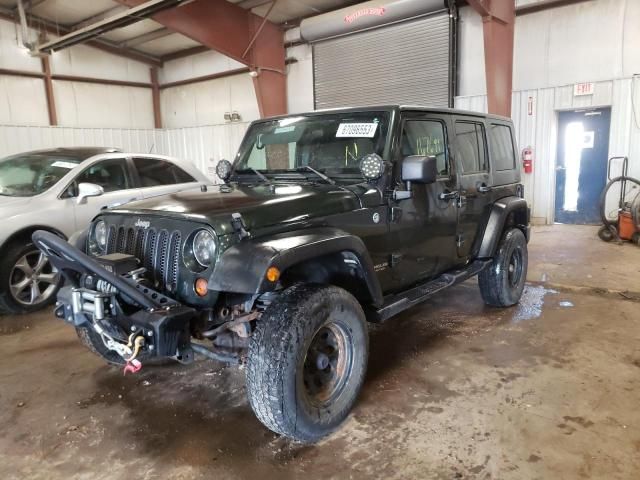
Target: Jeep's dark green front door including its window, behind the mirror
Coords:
[(423, 227)]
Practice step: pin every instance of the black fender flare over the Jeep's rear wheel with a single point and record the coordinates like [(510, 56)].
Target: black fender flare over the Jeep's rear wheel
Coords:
[(500, 213)]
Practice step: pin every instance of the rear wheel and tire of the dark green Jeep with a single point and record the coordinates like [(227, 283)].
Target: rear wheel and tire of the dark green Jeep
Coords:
[(501, 284)]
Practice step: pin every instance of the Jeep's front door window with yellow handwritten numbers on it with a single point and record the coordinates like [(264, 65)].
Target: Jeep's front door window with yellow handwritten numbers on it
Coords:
[(426, 138)]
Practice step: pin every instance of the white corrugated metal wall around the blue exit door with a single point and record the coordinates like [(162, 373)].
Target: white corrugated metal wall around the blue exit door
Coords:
[(535, 115)]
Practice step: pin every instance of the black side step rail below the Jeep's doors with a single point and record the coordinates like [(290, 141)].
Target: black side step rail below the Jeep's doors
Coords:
[(399, 302)]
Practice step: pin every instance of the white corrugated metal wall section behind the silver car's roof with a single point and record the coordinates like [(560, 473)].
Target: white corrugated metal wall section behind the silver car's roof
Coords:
[(203, 146)]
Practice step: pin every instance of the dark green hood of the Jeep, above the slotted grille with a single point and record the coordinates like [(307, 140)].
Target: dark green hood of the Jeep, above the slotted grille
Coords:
[(260, 205)]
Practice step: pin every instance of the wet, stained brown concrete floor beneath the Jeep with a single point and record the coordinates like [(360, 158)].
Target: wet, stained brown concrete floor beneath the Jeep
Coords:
[(548, 389)]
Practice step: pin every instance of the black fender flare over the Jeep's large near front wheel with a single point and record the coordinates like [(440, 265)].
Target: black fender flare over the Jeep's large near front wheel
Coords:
[(242, 267)]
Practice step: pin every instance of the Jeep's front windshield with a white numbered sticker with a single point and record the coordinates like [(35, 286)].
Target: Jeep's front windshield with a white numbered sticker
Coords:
[(332, 144)]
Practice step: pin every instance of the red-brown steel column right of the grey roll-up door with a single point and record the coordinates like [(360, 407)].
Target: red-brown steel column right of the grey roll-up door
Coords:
[(498, 22)]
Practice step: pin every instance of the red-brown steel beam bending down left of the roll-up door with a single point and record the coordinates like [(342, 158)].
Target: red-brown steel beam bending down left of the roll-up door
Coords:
[(230, 30)]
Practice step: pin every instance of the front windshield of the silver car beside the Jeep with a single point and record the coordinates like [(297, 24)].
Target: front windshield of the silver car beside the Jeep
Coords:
[(29, 174)]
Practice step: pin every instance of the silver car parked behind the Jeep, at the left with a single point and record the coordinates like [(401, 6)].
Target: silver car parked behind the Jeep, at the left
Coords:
[(61, 190)]
